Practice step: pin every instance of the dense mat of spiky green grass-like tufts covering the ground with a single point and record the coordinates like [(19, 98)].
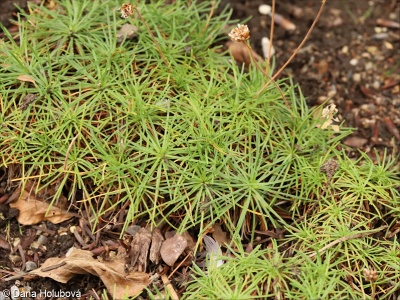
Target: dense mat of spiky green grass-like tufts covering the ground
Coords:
[(182, 137)]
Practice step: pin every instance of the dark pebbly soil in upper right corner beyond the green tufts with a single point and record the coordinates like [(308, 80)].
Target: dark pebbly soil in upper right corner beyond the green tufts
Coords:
[(351, 57)]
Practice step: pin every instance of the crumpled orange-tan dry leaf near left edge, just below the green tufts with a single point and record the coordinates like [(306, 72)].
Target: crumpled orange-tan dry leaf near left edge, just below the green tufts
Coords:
[(33, 210)]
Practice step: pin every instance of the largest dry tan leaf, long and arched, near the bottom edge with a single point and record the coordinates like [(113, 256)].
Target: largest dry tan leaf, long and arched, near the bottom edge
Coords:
[(118, 283)]
